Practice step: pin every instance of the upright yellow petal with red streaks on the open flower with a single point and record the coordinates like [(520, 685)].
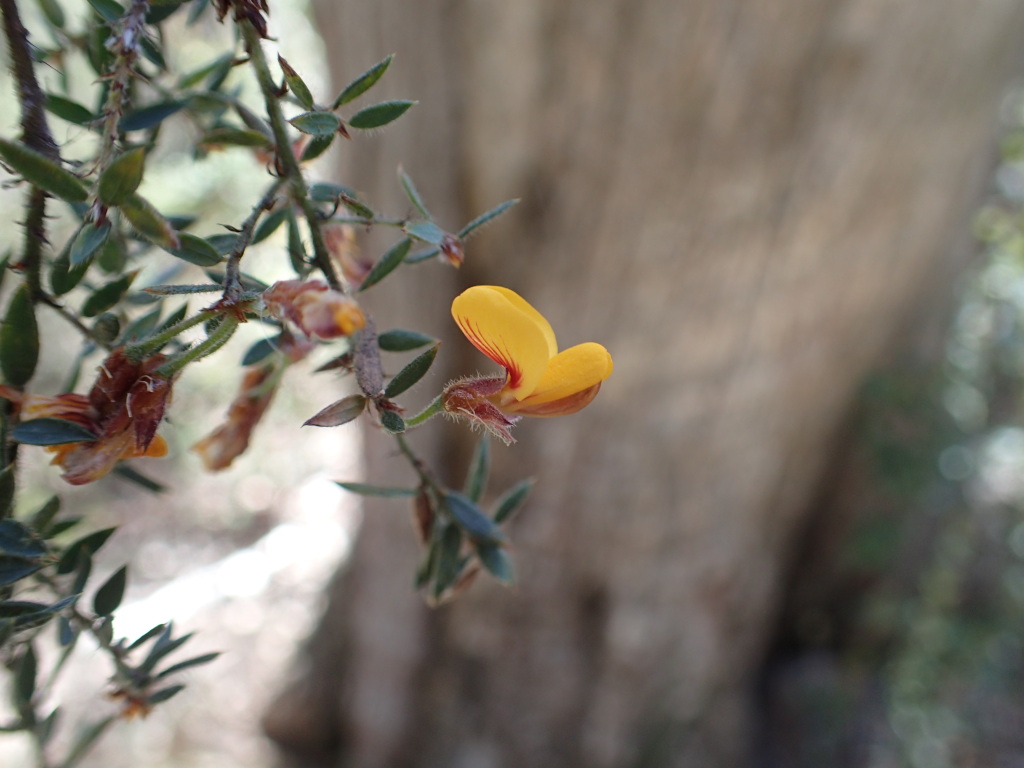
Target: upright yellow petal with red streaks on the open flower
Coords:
[(509, 331)]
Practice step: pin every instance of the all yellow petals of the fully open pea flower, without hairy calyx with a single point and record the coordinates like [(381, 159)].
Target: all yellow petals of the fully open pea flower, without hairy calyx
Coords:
[(540, 380)]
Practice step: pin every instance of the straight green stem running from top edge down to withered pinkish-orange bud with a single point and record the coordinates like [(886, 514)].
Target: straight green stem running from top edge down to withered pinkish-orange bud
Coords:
[(289, 165)]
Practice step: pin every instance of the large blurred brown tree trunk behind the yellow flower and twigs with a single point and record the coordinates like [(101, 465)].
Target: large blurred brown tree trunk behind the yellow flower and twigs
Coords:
[(751, 203)]
